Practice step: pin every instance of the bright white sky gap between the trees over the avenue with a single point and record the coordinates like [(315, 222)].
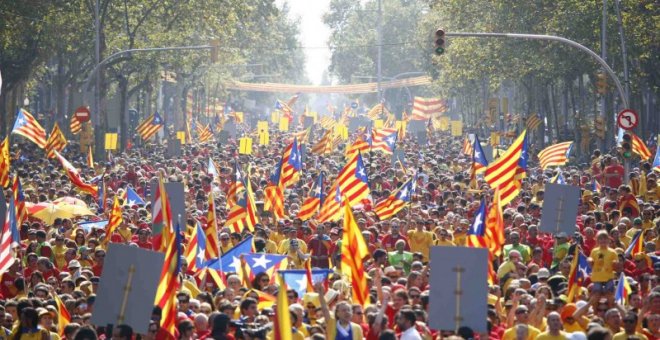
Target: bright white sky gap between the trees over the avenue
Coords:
[(313, 33)]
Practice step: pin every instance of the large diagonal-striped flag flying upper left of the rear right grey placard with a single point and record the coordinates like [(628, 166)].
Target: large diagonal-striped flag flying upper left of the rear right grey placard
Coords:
[(506, 172)]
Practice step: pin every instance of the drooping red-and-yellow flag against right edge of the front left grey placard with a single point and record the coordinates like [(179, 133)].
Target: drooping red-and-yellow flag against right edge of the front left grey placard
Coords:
[(169, 284)]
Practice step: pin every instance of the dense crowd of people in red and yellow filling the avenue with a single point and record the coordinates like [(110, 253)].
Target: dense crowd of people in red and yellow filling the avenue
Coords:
[(529, 299)]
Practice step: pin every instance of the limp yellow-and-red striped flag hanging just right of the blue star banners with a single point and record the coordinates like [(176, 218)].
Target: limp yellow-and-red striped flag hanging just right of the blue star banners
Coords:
[(353, 251)]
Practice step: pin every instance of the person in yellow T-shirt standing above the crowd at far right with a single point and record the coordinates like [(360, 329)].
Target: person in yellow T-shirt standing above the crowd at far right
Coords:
[(602, 260)]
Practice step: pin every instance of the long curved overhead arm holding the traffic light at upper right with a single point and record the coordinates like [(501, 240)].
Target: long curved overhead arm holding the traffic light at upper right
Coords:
[(569, 42)]
